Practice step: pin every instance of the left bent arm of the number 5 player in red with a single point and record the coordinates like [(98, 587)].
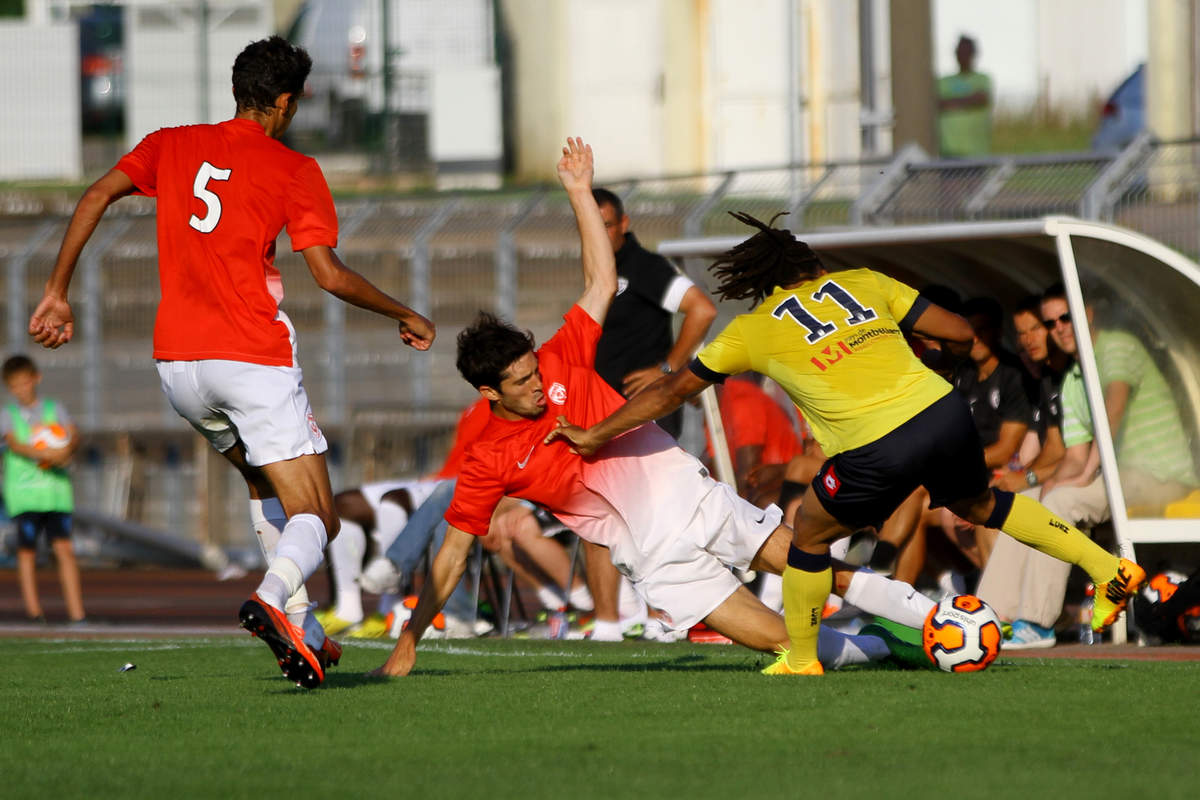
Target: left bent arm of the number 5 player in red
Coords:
[(52, 326)]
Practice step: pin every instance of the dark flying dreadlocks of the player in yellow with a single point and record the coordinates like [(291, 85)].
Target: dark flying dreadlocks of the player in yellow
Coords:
[(771, 258)]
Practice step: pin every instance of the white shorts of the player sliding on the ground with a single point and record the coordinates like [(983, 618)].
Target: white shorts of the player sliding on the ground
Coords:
[(687, 575)]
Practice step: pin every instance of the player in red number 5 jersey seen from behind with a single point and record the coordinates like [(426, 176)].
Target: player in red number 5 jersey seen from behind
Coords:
[(226, 351)]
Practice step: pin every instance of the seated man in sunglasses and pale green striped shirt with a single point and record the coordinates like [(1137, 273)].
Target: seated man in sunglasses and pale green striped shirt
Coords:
[(1153, 458)]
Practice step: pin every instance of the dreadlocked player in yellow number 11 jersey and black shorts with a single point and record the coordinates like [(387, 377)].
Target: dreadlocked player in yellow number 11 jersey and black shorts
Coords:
[(887, 423)]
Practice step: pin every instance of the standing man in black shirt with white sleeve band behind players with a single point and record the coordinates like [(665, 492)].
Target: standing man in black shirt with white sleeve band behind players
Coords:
[(637, 347)]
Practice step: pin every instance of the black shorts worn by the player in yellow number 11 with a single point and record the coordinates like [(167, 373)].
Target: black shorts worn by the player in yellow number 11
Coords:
[(939, 449)]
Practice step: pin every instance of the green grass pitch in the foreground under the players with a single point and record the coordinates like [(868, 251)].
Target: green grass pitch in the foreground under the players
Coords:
[(526, 719)]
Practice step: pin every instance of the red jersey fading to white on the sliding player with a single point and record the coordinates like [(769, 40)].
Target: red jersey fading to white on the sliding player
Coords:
[(587, 495)]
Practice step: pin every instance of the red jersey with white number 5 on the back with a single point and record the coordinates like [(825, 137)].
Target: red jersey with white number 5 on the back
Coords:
[(225, 193)]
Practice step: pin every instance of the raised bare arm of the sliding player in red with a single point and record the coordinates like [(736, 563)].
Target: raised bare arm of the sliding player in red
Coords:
[(575, 171)]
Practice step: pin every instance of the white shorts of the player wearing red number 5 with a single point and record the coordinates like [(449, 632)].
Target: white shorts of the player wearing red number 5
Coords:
[(266, 408)]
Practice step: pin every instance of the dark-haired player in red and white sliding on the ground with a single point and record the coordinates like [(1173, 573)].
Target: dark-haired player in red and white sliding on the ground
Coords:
[(670, 528)]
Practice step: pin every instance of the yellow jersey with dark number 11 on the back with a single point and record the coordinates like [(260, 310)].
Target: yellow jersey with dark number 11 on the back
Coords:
[(837, 347)]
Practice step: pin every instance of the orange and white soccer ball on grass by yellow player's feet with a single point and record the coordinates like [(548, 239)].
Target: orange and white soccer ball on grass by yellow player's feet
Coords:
[(962, 635)]
